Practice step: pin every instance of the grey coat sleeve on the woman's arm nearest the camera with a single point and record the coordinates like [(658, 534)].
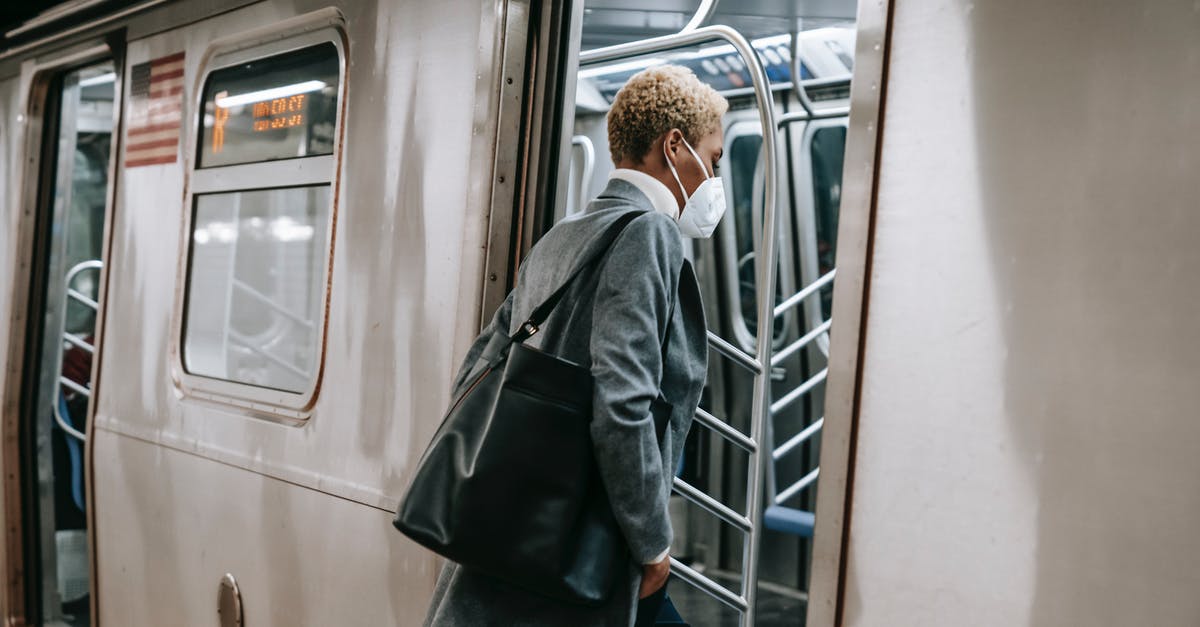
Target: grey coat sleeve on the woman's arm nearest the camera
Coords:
[(629, 321)]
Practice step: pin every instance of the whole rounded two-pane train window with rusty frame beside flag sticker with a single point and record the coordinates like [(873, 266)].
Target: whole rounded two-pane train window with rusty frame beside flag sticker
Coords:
[(261, 226)]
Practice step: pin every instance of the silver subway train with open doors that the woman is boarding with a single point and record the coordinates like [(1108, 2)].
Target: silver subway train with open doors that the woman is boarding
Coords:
[(247, 243)]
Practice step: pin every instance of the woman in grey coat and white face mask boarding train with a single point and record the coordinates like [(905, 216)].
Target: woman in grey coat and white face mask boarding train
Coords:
[(665, 136)]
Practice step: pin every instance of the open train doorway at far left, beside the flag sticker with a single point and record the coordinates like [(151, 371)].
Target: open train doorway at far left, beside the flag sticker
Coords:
[(70, 108)]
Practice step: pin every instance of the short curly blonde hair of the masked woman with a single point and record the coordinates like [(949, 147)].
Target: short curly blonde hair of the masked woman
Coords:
[(657, 100)]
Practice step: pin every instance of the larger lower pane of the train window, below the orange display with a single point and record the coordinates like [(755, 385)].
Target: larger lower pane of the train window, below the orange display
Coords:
[(255, 286)]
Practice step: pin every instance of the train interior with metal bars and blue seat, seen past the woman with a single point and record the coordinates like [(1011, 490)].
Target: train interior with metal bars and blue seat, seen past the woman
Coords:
[(811, 117)]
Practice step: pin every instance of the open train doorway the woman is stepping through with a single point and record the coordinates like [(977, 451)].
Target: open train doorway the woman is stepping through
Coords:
[(766, 381)]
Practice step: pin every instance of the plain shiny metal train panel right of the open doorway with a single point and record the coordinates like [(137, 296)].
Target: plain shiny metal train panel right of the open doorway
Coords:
[(1027, 438)]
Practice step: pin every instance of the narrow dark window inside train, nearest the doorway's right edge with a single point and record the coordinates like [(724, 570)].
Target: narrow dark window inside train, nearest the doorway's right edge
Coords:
[(827, 153)]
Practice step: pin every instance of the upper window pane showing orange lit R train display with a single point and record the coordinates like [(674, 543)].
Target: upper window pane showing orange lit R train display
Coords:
[(280, 108)]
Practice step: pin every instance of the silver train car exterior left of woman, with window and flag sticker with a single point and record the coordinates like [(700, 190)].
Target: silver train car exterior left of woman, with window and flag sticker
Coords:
[(290, 492)]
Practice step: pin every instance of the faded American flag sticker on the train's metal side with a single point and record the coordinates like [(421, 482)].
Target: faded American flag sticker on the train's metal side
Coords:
[(157, 112)]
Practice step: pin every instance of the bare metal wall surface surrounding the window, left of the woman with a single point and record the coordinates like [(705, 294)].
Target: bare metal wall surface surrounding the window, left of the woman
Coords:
[(301, 515)]
